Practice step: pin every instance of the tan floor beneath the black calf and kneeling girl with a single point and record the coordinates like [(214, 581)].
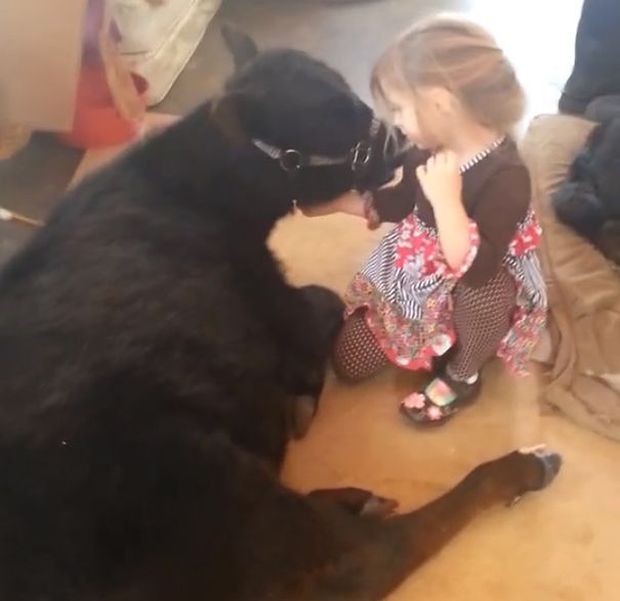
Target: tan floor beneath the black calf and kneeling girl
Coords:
[(559, 545)]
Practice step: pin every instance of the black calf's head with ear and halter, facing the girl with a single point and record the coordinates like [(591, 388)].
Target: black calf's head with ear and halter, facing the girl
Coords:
[(310, 138)]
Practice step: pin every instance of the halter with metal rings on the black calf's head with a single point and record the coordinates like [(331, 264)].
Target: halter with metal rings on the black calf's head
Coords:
[(292, 160)]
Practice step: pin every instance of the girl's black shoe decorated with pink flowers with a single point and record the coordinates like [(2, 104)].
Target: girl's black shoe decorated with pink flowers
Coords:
[(440, 400)]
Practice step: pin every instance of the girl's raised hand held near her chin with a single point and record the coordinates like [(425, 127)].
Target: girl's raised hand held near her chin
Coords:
[(440, 179)]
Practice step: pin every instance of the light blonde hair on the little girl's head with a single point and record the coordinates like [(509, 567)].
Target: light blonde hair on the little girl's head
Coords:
[(454, 53)]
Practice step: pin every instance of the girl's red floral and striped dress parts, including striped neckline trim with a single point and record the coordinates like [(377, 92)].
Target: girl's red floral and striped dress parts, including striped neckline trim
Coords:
[(406, 288)]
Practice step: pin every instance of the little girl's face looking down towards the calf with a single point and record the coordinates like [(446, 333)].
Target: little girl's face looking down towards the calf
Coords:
[(421, 116)]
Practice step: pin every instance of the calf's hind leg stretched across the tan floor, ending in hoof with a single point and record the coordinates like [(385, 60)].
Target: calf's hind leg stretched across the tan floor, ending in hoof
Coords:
[(388, 551)]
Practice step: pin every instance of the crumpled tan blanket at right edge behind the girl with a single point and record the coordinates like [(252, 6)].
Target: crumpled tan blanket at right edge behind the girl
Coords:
[(584, 289)]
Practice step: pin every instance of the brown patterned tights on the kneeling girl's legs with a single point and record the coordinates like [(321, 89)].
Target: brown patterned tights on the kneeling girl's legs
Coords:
[(482, 318)]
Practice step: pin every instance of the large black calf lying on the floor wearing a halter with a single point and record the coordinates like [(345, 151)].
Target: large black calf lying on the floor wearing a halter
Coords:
[(154, 363)]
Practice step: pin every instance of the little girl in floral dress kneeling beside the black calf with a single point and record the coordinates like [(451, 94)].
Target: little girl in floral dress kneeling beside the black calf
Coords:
[(457, 280)]
